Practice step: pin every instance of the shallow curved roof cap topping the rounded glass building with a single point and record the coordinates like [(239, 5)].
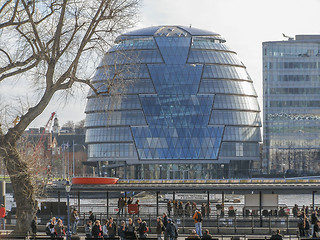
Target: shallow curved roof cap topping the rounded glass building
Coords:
[(168, 31)]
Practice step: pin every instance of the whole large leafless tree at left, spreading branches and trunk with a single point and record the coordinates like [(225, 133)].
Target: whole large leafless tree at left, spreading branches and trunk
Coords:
[(49, 43)]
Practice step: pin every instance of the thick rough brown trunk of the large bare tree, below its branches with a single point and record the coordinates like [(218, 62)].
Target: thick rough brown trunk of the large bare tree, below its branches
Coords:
[(23, 187)]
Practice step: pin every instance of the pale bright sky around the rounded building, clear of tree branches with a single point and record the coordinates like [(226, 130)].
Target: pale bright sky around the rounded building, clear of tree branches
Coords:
[(245, 24)]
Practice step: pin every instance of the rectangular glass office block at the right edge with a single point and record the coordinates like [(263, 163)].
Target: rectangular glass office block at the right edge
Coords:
[(291, 83)]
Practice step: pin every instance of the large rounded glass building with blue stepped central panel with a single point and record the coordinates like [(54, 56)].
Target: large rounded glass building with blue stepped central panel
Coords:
[(175, 103)]
